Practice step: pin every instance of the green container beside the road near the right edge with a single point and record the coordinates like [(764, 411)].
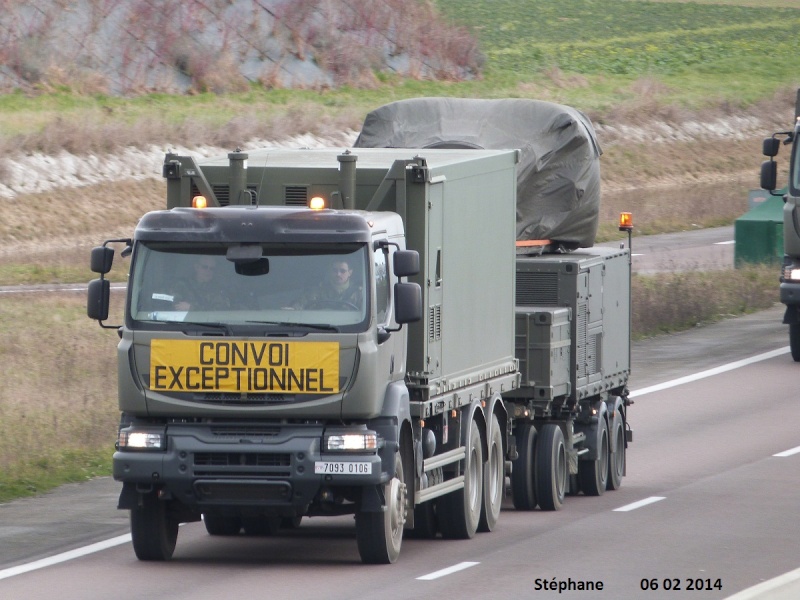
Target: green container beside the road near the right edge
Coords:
[(759, 234)]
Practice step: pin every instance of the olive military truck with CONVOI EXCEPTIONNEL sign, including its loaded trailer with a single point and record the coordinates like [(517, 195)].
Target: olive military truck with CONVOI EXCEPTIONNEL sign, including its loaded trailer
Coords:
[(461, 361)]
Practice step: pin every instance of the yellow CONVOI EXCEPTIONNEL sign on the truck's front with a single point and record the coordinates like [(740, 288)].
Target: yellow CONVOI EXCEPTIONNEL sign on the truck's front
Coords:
[(244, 366)]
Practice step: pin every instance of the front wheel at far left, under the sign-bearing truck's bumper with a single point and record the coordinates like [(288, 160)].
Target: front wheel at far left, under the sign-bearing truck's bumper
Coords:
[(153, 531)]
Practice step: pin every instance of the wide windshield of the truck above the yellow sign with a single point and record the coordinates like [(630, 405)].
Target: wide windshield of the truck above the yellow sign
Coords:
[(221, 286)]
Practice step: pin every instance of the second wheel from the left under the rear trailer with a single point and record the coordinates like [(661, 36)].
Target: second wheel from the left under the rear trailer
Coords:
[(551, 467)]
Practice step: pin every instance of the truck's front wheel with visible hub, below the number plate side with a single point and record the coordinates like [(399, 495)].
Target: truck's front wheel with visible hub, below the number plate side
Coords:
[(380, 534)]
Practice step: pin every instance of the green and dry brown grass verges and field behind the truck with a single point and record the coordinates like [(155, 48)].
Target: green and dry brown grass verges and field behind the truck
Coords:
[(621, 62)]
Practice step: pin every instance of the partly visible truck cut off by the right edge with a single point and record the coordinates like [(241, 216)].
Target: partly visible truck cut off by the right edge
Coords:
[(790, 272)]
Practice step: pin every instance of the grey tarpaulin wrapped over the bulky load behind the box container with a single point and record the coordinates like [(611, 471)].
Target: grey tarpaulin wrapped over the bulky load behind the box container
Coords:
[(558, 177)]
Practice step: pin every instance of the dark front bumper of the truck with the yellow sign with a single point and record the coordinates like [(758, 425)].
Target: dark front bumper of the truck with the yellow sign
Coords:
[(204, 466)]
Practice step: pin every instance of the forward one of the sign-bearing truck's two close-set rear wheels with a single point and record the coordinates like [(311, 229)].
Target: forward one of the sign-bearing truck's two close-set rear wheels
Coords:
[(460, 511)]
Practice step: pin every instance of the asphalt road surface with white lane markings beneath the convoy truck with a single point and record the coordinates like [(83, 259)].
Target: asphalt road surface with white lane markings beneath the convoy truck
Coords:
[(709, 501)]
